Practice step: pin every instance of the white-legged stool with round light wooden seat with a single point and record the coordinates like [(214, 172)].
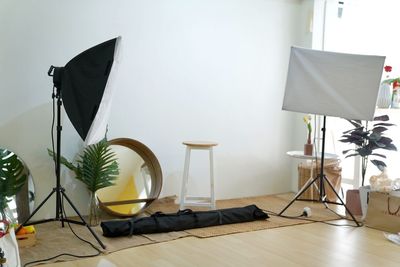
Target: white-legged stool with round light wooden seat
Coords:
[(197, 201)]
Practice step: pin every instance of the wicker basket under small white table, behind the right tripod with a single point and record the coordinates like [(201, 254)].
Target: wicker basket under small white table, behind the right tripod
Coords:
[(333, 172)]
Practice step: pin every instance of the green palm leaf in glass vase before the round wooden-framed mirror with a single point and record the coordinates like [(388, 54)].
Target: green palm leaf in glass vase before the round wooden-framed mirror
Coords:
[(97, 168)]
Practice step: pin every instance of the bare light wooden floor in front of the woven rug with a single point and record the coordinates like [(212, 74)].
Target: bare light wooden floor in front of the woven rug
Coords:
[(314, 244)]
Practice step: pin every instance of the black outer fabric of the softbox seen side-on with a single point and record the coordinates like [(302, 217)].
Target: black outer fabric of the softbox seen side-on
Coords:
[(83, 82)]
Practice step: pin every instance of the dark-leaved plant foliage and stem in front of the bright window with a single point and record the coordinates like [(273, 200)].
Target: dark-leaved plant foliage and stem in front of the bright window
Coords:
[(368, 139)]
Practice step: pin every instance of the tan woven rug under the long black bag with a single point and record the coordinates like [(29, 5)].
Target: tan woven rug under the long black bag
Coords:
[(52, 239)]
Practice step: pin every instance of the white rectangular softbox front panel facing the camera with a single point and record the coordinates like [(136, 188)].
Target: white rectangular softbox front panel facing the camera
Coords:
[(333, 84)]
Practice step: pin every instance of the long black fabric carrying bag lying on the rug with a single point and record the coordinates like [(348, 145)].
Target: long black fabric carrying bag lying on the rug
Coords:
[(185, 219)]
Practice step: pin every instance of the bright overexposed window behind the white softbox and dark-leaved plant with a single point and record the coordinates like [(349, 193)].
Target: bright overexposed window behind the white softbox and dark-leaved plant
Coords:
[(364, 27)]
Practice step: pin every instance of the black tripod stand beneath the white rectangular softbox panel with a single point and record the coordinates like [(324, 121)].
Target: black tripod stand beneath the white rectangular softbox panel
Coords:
[(321, 178)]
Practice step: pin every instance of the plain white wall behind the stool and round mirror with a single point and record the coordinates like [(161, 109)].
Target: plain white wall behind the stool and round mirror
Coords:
[(210, 69)]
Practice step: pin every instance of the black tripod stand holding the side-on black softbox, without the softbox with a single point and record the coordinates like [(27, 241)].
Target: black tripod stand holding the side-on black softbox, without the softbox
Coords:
[(59, 190)]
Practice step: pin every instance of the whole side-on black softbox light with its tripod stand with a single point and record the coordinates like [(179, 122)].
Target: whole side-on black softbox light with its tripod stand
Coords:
[(85, 86)]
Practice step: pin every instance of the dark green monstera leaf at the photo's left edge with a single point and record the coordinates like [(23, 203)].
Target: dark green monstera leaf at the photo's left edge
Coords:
[(12, 176)]
